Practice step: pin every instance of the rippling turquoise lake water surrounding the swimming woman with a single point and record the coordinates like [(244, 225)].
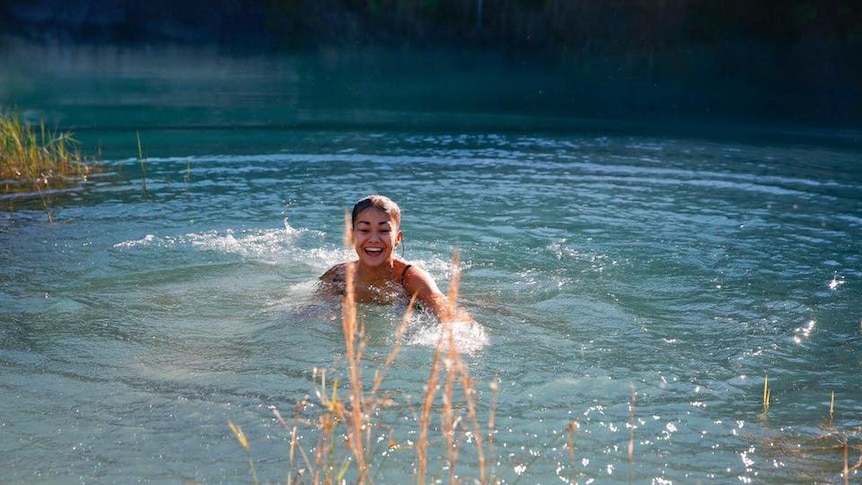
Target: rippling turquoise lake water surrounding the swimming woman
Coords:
[(605, 261)]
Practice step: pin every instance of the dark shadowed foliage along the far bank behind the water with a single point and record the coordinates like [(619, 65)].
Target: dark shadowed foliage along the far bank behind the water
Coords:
[(556, 25)]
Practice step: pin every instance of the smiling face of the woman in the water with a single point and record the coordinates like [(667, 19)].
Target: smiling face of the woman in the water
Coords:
[(375, 237)]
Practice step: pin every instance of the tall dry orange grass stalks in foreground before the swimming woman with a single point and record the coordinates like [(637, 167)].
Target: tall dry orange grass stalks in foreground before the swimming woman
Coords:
[(343, 426)]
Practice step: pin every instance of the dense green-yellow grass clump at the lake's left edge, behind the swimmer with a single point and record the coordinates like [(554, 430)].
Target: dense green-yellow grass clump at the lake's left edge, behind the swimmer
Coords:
[(36, 163)]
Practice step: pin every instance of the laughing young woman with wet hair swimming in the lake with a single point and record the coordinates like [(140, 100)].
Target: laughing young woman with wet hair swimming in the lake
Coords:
[(379, 276)]
